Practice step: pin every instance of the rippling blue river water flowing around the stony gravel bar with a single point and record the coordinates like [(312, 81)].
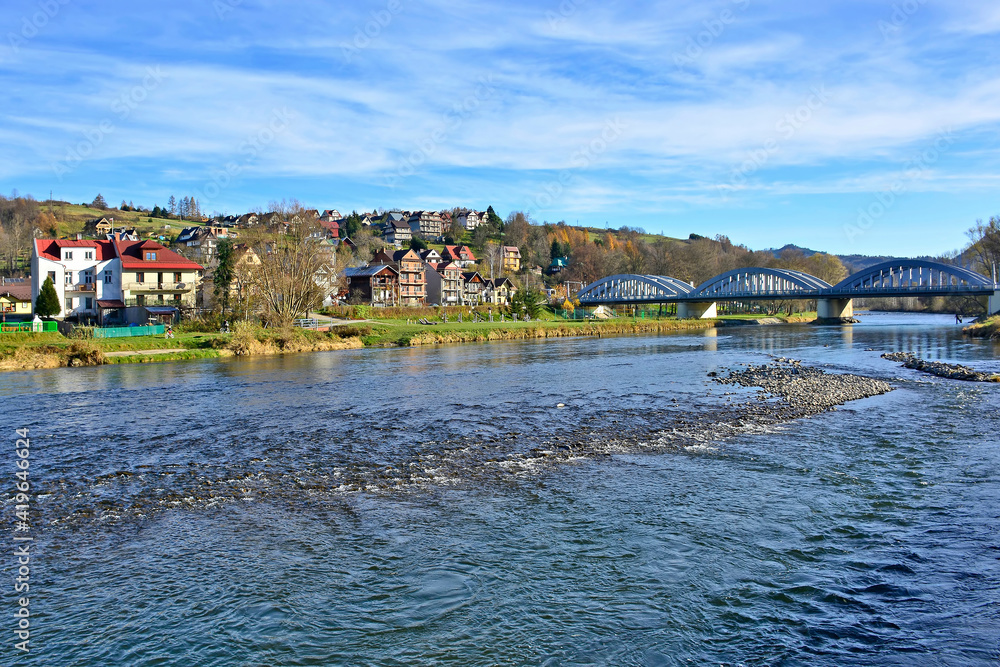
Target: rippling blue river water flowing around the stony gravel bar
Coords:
[(401, 507)]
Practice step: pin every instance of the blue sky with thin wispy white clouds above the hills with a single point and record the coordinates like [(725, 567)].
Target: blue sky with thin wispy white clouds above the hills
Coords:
[(852, 127)]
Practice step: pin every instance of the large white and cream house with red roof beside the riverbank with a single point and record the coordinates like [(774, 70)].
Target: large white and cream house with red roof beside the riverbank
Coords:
[(100, 279)]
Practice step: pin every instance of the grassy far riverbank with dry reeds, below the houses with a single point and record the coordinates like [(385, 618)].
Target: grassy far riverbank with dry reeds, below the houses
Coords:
[(52, 350)]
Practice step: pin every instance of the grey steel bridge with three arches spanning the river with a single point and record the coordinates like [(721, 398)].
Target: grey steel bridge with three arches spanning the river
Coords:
[(906, 277)]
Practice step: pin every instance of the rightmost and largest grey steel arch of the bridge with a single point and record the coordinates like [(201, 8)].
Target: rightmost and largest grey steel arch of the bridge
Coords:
[(912, 274)]
